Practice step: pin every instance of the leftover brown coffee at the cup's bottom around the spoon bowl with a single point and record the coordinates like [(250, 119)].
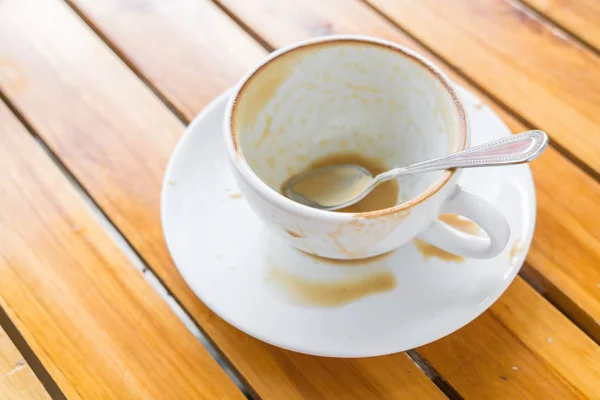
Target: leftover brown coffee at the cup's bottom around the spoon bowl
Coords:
[(383, 196)]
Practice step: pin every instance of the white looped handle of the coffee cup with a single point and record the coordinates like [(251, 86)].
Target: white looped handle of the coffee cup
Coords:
[(480, 211)]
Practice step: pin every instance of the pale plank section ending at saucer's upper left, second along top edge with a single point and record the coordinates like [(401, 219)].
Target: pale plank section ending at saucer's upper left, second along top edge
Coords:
[(211, 53)]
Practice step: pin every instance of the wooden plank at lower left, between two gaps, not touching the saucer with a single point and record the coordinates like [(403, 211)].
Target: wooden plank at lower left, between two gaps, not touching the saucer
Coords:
[(99, 329)]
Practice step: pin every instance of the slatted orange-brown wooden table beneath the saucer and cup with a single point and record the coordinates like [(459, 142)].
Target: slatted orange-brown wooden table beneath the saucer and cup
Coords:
[(94, 95)]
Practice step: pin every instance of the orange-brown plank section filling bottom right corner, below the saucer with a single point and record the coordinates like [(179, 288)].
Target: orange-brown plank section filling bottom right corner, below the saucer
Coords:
[(520, 348)]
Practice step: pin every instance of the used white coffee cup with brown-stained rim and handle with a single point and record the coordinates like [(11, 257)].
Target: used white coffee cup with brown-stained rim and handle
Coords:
[(371, 96)]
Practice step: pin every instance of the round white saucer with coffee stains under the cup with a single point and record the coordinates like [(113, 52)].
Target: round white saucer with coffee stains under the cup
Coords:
[(223, 252)]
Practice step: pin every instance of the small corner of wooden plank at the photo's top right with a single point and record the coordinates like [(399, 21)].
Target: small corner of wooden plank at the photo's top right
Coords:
[(580, 17)]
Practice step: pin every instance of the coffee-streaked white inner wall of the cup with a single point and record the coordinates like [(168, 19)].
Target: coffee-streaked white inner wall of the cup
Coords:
[(345, 96)]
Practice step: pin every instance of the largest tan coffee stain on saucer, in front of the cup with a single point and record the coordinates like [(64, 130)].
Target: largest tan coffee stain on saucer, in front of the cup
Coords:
[(335, 293)]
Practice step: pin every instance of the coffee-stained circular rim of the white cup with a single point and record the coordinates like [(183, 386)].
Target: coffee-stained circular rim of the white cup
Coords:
[(236, 155)]
